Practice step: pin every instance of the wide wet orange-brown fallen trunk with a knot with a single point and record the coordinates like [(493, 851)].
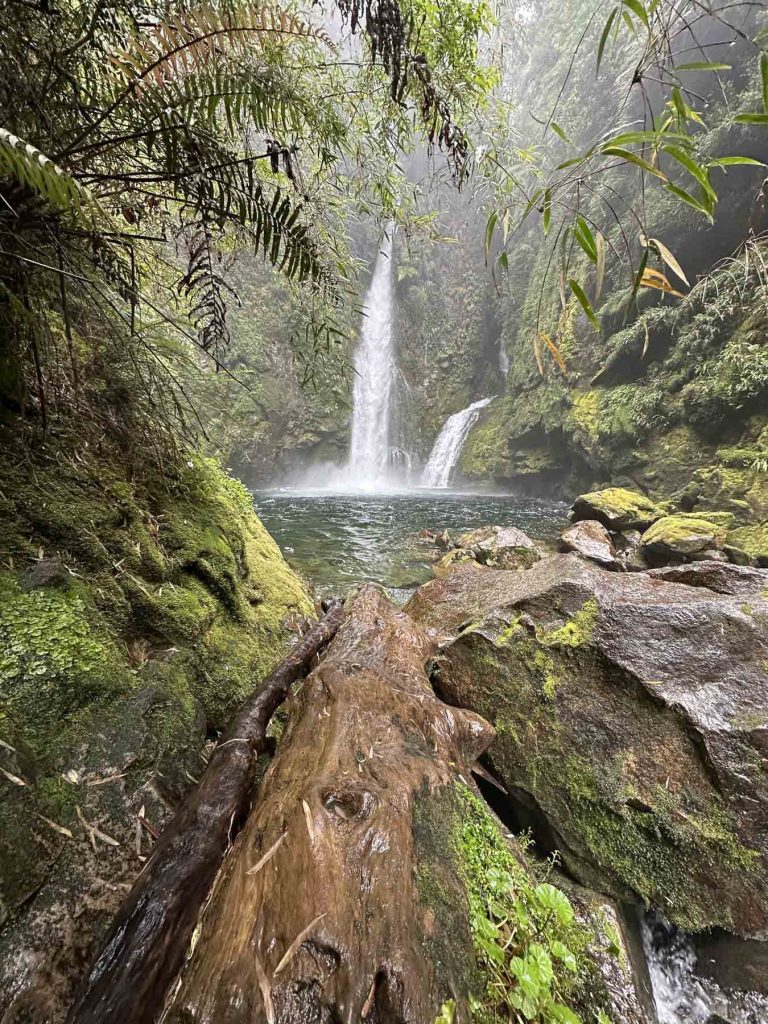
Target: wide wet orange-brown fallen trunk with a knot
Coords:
[(319, 915)]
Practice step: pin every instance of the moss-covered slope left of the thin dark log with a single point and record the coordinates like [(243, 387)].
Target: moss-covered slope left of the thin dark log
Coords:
[(137, 613)]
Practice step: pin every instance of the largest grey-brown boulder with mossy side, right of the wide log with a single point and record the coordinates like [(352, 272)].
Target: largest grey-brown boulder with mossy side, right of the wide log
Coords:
[(632, 720)]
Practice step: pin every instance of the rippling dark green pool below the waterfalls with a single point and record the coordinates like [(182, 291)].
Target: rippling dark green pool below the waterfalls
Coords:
[(339, 540)]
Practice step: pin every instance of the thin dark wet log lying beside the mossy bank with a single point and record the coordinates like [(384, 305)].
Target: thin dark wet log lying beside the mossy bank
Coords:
[(147, 945)]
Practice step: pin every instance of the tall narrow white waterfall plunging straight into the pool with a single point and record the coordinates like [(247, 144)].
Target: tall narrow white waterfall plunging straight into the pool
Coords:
[(374, 382)]
